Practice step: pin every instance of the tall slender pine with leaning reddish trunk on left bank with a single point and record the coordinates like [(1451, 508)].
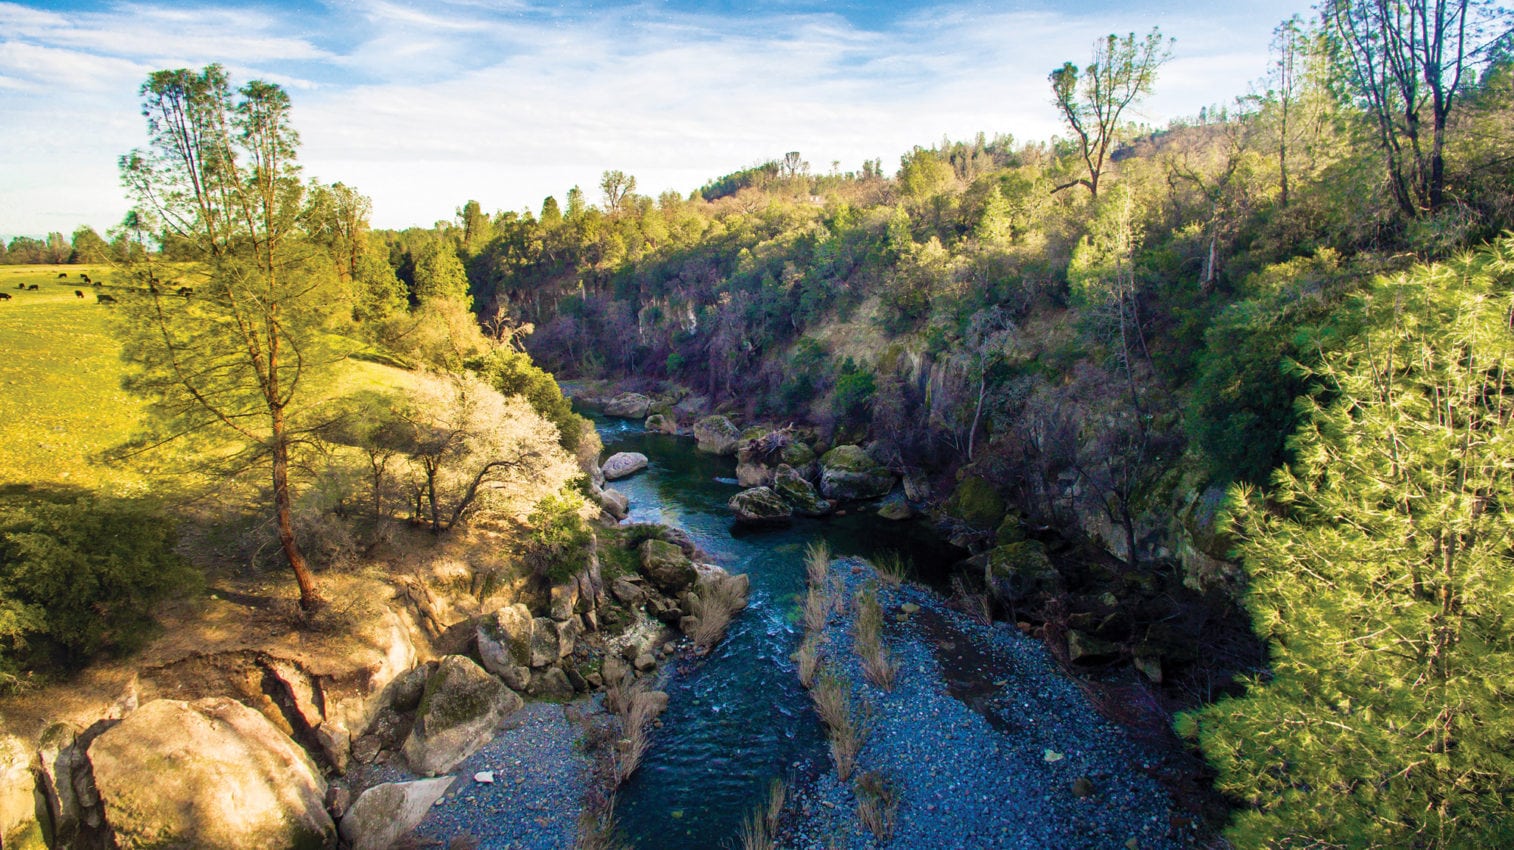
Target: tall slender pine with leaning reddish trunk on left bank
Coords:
[(235, 363)]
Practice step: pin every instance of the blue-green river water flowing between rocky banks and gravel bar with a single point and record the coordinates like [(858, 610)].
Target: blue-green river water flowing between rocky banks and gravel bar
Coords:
[(737, 719)]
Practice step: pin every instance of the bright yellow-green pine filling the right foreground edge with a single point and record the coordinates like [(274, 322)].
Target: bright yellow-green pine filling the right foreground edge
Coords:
[(1380, 575)]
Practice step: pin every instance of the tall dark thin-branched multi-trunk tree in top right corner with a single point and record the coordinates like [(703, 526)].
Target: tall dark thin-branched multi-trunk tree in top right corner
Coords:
[(1409, 63)]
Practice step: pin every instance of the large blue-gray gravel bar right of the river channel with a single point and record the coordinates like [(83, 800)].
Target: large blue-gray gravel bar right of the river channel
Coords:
[(986, 778)]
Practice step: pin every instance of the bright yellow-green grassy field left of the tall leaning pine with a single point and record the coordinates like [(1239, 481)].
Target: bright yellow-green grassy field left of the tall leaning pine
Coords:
[(61, 399)]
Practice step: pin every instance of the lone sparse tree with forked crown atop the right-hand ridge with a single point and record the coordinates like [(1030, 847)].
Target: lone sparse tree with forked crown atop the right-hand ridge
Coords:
[(1092, 101)]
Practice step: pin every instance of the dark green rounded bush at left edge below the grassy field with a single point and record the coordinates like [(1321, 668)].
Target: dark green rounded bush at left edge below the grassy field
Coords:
[(79, 577)]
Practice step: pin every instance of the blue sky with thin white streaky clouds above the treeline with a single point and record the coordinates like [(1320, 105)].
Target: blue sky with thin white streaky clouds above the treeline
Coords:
[(425, 107)]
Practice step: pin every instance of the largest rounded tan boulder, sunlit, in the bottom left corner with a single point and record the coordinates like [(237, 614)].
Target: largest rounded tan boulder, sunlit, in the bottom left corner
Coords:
[(210, 773)]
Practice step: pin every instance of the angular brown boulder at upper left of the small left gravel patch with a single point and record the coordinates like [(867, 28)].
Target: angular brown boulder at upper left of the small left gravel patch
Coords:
[(459, 713)]
